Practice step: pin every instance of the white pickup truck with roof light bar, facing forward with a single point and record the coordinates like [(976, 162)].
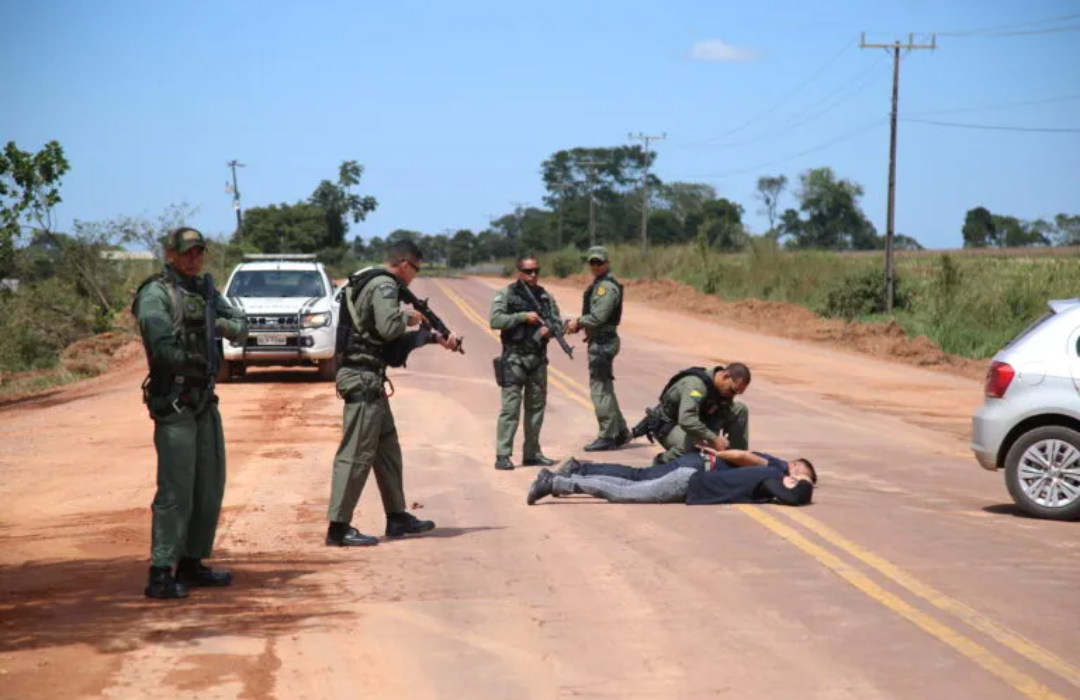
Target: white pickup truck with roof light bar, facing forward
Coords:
[(292, 315)]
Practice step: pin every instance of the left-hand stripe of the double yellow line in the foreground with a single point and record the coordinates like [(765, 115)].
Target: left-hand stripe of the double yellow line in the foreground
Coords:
[(977, 653)]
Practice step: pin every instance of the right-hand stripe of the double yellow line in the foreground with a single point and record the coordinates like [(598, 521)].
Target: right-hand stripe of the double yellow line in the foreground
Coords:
[(1022, 647)]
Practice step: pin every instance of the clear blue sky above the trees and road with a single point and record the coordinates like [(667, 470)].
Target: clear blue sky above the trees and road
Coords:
[(452, 107)]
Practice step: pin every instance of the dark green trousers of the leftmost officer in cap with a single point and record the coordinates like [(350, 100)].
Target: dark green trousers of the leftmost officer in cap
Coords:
[(191, 484)]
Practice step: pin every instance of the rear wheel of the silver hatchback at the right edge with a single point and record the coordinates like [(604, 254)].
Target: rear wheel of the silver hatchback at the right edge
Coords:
[(1043, 473)]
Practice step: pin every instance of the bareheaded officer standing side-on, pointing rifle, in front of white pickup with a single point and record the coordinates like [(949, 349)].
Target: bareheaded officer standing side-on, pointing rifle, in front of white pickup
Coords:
[(370, 437)]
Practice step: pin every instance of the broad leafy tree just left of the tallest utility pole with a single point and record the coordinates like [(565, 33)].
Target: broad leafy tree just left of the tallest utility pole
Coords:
[(834, 219)]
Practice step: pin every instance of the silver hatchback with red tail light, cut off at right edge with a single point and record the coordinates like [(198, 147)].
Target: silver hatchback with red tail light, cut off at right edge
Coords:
[(1030, 423)]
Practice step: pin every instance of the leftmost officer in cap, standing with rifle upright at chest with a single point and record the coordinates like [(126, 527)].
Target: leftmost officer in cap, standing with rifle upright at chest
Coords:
[(170, 308)]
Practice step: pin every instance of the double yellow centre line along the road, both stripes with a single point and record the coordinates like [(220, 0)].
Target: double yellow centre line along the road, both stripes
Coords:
[(987, 659)]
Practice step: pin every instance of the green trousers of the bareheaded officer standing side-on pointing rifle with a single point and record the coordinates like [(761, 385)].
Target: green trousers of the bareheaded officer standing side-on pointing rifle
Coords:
[(369, 438)]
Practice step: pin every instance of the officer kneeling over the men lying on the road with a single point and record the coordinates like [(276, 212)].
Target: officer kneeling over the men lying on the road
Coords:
[(701, 406)]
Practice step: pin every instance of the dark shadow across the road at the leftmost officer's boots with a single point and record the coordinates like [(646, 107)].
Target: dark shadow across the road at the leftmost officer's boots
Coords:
[(101, 603)]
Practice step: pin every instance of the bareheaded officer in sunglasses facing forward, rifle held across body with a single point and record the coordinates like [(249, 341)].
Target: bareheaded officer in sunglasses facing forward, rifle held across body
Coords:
[(523, 367)]
